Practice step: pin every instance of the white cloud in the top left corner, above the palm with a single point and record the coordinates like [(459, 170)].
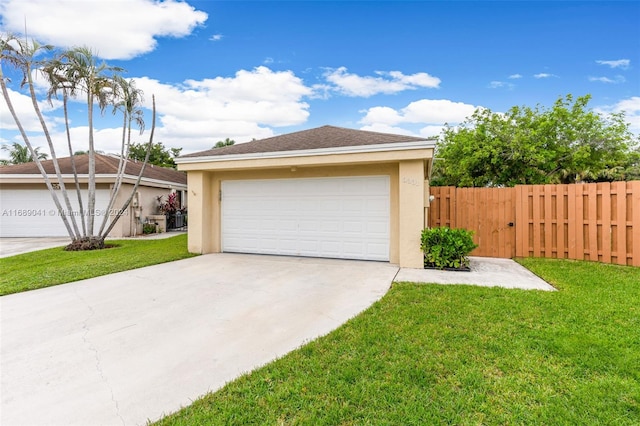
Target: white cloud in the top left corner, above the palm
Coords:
[(67, 22)]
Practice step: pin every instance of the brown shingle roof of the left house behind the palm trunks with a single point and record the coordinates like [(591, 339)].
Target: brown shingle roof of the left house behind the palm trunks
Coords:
[(105, 165)]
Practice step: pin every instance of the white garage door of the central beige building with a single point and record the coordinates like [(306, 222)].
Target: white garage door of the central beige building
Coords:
[(343, 217)]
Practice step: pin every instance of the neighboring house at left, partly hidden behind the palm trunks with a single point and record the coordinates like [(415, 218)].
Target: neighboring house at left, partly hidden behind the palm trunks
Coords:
[(27, 208)]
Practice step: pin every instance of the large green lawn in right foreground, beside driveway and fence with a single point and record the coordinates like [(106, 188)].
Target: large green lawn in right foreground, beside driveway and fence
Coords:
[(431, 354)]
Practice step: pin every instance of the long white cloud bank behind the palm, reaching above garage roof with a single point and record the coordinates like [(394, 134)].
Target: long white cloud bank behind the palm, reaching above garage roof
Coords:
[(193, 115)]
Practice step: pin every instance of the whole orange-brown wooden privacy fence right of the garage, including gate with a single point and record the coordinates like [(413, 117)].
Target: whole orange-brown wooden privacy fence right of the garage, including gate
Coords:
[(595, 221)]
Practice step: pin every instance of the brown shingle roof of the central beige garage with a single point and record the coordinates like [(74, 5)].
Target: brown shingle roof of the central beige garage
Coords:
[(318, 138)]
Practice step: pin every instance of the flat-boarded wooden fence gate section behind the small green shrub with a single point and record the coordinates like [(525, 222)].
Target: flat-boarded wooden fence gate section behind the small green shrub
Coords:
[(489, 212)]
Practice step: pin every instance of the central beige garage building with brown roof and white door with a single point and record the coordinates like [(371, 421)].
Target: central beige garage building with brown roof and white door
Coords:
[(326, 192)]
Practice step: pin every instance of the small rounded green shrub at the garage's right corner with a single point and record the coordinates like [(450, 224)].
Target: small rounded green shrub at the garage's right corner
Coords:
[(447, 248)]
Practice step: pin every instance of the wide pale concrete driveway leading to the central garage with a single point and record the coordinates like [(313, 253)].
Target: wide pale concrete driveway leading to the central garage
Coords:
[(126, 348)]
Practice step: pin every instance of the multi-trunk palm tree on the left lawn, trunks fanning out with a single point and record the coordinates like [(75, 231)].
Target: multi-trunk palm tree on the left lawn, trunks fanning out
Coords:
[(75, 73)]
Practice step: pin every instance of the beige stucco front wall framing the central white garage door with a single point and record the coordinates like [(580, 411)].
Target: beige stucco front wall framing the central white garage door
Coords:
[(407, 193)]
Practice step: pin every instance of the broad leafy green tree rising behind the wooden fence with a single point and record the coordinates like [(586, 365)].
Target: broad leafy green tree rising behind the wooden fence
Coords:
[(563, 144)]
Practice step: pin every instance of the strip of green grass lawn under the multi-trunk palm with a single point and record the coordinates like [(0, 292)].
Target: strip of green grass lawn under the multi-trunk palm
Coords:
[(54, 266)]
